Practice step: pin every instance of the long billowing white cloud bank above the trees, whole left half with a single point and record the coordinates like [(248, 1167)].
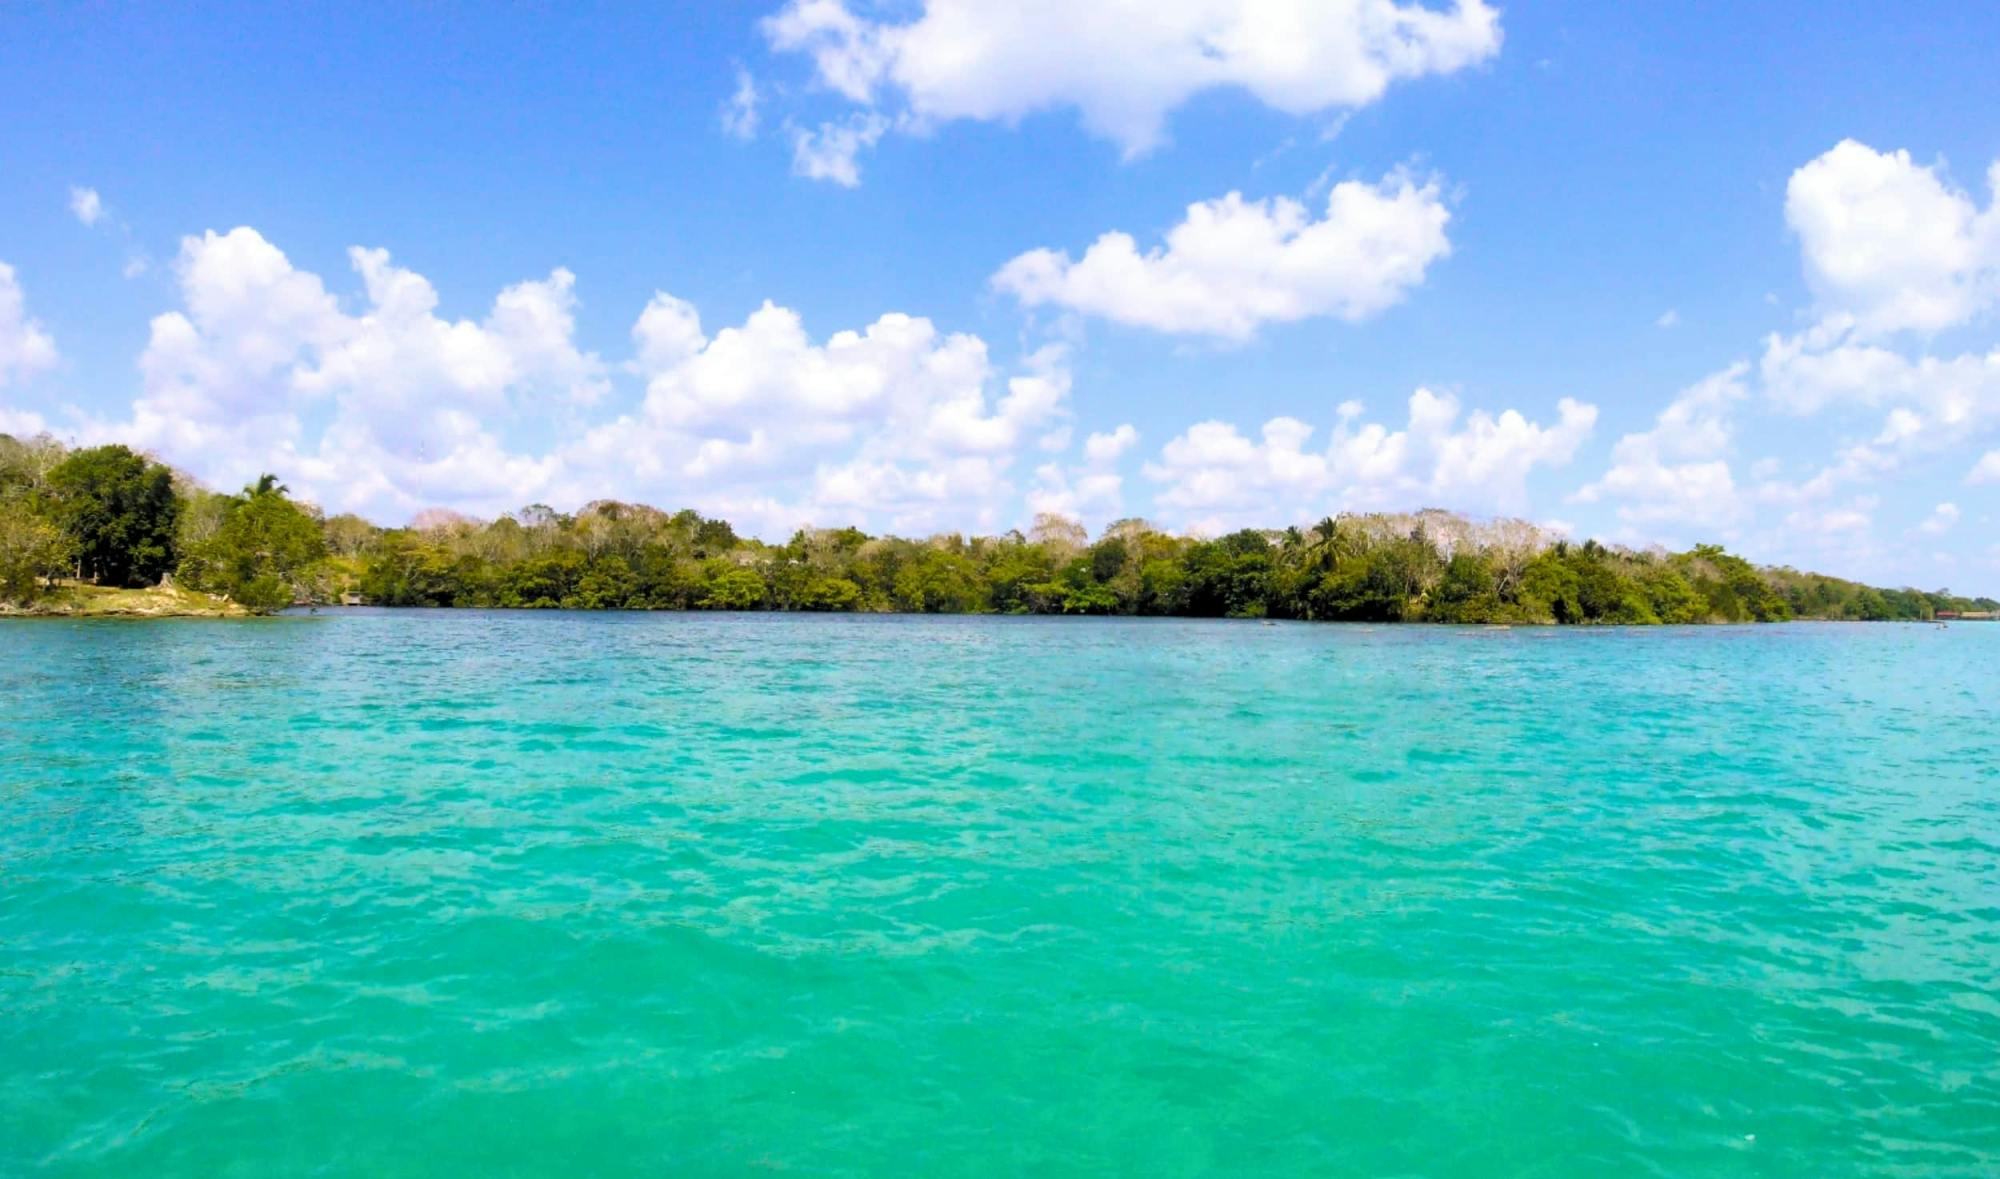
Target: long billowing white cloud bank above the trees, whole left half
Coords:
[(381, 403)]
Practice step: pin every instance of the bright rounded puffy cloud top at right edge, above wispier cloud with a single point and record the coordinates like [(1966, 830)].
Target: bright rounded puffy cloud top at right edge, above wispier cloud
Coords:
[(1889, 245)]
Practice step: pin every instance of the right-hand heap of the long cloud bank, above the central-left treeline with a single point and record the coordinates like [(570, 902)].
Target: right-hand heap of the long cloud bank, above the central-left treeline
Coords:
[(897, 423)]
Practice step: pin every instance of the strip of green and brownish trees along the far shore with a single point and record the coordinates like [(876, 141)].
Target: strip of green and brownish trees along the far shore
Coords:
[(111, 517)]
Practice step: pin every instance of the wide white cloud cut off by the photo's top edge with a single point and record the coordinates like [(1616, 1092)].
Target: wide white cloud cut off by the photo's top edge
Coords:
[(1127, 65)]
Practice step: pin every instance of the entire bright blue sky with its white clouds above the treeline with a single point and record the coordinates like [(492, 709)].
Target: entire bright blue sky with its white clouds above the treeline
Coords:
[(1717, 273)]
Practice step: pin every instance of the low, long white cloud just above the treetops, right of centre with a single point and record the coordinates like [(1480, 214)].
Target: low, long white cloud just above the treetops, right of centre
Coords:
[(1481, 463)]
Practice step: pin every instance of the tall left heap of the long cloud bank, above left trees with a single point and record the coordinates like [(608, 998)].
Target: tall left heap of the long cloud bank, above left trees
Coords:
[(407, 397)]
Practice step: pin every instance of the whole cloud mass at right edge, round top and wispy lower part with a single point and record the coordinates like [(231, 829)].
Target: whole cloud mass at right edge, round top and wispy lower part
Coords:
[(1891, 251)]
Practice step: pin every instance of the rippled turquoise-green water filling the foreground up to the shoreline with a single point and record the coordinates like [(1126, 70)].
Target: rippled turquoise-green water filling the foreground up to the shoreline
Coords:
[(507, 894)]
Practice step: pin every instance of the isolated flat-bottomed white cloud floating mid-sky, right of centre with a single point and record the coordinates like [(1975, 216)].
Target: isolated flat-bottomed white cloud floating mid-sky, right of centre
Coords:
[(1235, 265)]
